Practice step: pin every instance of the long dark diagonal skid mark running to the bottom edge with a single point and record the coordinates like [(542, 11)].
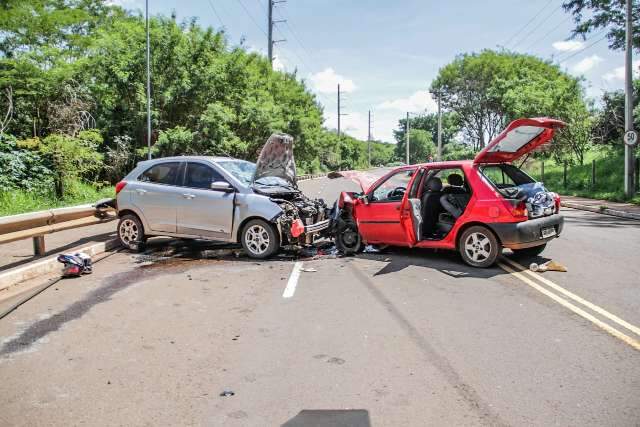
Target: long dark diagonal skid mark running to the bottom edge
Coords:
[(466, 391)]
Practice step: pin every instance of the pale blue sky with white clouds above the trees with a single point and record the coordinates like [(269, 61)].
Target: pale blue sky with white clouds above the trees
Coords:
[(385, 53)]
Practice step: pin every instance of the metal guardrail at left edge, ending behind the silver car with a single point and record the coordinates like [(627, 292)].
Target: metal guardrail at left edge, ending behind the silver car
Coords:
[(37, 224)]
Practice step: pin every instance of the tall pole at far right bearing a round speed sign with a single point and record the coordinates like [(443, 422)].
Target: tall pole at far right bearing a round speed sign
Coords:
[(630, 138)]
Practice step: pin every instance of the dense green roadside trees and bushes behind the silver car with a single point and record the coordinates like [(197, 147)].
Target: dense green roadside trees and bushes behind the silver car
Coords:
[(73, 101)]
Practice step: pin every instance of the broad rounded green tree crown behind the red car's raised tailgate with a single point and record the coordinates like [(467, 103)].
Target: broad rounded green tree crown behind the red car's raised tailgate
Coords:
[(488, 89)]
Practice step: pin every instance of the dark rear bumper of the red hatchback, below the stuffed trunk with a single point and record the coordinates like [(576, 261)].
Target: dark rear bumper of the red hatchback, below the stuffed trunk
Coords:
[(527, 234)]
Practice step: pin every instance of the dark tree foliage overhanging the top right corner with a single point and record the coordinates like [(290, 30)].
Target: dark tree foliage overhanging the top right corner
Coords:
[(592, 15)]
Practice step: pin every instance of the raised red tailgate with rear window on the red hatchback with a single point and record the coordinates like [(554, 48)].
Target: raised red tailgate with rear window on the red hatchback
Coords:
[(519, 138)]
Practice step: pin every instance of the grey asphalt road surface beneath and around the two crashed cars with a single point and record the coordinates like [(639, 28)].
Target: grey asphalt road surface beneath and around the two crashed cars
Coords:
[(404, 337)]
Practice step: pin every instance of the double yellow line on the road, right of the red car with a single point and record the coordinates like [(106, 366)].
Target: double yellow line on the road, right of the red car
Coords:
[(577, 310)]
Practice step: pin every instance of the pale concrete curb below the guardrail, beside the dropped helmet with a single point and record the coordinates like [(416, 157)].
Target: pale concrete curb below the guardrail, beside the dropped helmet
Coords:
[(38, 268)]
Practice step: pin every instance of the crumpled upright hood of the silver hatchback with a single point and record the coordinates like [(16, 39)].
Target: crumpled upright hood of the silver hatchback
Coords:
[(276, 159)]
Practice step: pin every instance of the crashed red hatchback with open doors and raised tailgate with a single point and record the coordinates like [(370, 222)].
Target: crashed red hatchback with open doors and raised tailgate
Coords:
[(476, 207)]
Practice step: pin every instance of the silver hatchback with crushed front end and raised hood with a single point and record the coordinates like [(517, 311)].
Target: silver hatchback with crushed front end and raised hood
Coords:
[(220, 198)]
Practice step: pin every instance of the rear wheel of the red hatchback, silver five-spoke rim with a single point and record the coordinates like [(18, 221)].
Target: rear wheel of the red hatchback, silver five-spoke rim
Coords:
[(479, 247)]
